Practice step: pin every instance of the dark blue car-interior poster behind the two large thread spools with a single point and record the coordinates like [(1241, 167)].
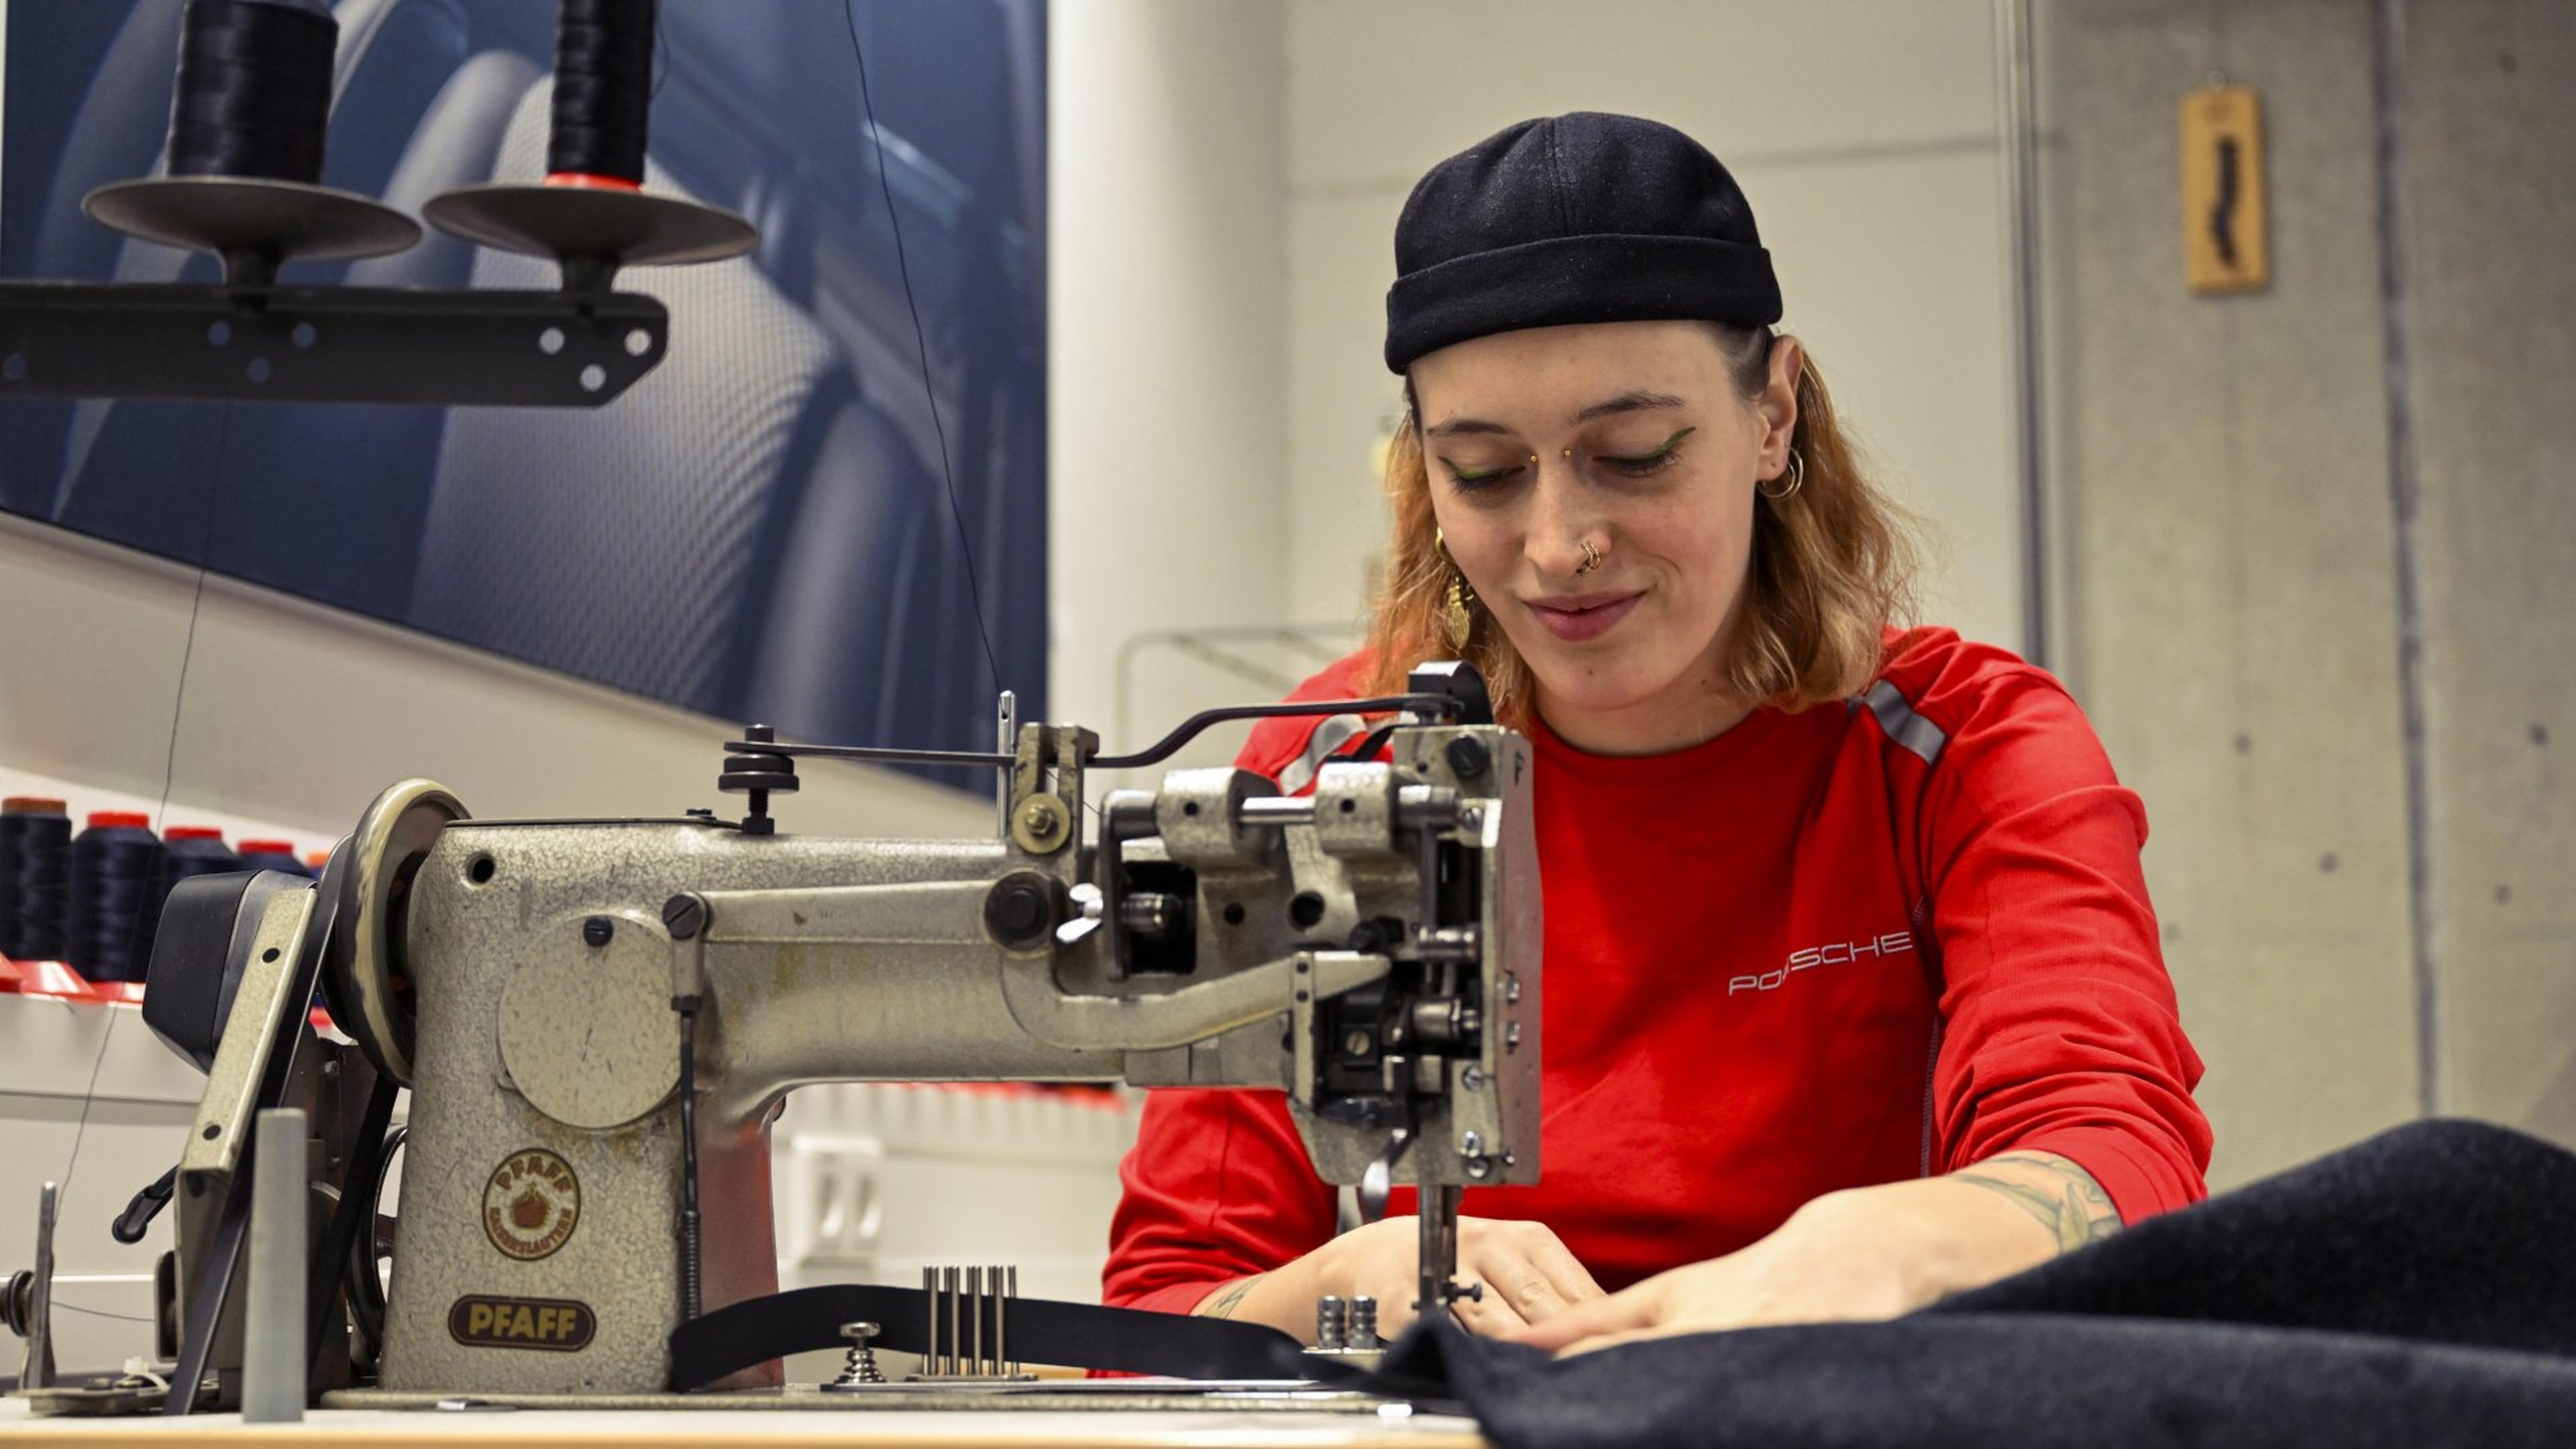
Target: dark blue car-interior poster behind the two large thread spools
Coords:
[(815, 512)]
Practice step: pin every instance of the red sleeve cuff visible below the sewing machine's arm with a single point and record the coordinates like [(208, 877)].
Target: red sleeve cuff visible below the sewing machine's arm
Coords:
[(1217, 1190)]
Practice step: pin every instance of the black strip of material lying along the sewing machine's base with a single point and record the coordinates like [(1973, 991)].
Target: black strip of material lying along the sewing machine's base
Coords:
[(1068, 1334)]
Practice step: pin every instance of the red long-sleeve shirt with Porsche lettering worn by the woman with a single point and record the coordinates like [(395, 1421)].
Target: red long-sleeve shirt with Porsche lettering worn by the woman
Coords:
[(1823, 950)]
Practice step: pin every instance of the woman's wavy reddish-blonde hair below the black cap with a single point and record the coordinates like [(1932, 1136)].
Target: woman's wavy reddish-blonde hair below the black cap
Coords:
[(1833, 566)]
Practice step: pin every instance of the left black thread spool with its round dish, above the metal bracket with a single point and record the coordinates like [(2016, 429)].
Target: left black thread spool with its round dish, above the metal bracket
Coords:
[(246, 151)]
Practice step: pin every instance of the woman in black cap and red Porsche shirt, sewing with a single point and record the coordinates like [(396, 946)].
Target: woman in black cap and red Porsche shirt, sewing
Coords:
[(1853, 984)]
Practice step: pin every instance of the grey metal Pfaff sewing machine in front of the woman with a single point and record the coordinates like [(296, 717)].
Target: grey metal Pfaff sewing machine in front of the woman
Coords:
[(601, 1017)]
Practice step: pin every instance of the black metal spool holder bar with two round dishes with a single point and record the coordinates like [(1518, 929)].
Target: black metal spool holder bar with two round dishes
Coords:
[(251, 339)]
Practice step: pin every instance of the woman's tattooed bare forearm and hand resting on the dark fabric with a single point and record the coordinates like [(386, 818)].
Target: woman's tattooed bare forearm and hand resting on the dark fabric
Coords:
[(1859, 1257)]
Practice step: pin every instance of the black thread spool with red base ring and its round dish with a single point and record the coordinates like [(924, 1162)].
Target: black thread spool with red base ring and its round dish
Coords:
[(594, 213)]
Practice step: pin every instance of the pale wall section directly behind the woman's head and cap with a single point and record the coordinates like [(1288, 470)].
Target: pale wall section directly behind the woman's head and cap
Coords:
[(1861, 130)]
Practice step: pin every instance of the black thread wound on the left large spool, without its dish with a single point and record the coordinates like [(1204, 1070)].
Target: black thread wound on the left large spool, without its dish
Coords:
[(254, 92)]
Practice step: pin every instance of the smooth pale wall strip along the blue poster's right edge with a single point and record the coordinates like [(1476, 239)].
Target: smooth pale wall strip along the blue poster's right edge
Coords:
[(1166, 365)]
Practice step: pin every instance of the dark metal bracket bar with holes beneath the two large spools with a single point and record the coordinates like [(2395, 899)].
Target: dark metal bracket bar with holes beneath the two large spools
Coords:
[(326, 344)]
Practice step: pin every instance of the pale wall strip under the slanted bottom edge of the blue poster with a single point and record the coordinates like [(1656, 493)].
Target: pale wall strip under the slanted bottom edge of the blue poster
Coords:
[(298, 715)]
